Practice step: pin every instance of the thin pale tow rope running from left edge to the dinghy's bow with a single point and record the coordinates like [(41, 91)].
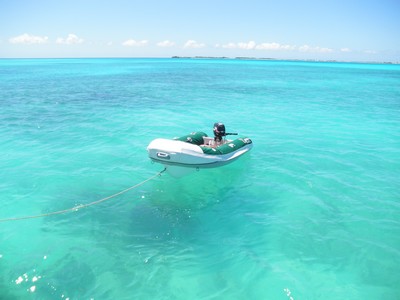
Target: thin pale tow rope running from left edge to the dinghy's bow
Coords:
[(76, 208)]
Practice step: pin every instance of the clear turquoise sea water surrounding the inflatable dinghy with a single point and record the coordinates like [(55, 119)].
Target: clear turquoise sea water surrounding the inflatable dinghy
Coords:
[(312, 212)]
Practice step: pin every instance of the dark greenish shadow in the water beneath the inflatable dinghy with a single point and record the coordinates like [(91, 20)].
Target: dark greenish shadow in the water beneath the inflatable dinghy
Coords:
[(172, 207)]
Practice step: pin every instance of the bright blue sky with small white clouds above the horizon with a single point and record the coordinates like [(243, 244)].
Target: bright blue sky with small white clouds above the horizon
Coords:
[(362, 30)]
